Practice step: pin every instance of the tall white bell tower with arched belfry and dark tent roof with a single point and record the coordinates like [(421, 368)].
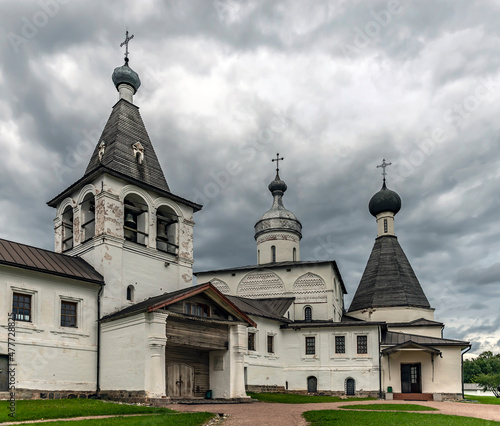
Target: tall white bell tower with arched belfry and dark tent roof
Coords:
[(121, 216)]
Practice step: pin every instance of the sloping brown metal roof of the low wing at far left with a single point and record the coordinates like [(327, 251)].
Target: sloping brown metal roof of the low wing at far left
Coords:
[(40, 260)]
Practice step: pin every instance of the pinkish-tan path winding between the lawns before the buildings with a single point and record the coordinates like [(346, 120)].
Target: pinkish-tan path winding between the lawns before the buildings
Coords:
[(264, 413)]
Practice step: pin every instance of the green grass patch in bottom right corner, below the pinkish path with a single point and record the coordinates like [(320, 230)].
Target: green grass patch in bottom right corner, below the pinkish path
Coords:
[(333, 417)]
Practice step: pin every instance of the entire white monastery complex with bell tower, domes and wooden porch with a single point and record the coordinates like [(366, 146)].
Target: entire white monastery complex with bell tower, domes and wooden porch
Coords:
[(113, 310)]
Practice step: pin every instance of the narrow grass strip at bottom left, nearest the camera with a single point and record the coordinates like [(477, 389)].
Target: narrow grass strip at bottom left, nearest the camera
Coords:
[(172, 419)]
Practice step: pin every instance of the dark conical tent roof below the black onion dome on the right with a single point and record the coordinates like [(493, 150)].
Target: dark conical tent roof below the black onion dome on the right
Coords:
[(388, 279)]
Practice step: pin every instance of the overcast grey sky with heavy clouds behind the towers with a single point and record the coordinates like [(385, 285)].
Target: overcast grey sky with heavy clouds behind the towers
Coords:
[(334, 87)]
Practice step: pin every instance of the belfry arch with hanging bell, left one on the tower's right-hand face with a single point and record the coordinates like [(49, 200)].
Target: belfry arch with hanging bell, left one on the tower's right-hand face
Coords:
[(135, 225)]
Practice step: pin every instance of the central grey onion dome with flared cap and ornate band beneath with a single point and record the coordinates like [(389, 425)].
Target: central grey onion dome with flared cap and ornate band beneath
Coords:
[(278, 218)]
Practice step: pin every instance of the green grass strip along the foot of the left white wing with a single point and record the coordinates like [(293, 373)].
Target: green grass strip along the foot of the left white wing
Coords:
[(63, 408)]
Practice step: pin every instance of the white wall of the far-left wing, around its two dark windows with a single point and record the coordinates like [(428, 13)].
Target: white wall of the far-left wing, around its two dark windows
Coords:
[(48, 356)]
